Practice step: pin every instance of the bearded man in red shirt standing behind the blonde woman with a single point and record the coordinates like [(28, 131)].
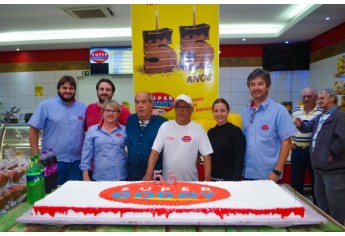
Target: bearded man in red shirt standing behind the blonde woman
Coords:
[(105, 90)]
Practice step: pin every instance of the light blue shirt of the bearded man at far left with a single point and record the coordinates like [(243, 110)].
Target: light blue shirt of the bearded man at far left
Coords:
[(63, 127)]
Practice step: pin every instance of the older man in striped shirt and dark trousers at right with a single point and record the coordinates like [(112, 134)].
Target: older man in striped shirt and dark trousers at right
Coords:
[(300, 155)]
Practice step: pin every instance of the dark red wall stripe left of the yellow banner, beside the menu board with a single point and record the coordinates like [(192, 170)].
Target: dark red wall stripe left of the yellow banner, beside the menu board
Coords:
[(44, 56)]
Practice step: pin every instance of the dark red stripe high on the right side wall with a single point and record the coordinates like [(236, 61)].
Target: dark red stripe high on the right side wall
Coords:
[(328, 38)]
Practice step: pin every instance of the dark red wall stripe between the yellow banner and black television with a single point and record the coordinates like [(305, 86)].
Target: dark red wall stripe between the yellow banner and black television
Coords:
[(240, 50)]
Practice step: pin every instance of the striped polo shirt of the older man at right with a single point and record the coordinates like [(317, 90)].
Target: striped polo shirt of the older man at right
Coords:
[(303, 139)]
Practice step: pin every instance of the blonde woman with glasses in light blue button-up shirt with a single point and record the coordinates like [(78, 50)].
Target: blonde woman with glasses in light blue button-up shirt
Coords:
[(105, 145)]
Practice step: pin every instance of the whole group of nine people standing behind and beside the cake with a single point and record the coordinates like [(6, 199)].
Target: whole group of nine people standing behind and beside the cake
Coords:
[(90, 142)]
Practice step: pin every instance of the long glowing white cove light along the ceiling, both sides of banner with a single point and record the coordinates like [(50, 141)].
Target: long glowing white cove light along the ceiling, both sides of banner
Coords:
[(295, 14)]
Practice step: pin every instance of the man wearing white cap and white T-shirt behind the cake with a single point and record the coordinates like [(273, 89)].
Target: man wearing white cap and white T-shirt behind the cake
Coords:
[(181, 140)]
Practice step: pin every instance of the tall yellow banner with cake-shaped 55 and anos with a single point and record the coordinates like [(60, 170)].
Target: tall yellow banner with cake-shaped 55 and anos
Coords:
[(175, 50)]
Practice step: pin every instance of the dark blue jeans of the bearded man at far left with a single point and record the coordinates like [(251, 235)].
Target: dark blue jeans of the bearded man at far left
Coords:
[(69, 171)]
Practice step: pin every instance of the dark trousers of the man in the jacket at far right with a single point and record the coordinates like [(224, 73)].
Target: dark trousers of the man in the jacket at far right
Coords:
[(330, 194)]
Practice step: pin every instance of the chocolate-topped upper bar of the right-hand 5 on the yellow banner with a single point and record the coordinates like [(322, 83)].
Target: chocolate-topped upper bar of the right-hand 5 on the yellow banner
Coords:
[(197, 32)]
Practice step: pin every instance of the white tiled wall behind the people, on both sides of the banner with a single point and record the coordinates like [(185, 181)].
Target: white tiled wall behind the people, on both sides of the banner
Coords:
[(18, 89)]
